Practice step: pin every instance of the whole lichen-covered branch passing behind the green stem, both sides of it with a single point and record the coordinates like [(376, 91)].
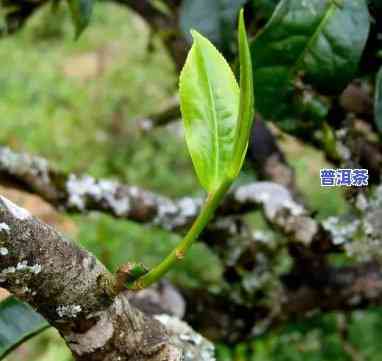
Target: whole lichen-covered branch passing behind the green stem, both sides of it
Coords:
[(81, 193)]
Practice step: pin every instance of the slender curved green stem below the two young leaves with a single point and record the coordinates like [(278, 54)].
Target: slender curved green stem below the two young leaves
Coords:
[(178, 253)]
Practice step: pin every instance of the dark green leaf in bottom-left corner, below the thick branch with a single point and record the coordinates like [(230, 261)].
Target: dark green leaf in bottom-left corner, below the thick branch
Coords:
[(18, 322)]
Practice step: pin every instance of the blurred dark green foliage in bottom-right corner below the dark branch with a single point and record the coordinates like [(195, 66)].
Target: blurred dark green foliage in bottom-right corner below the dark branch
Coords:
[(317, 339)]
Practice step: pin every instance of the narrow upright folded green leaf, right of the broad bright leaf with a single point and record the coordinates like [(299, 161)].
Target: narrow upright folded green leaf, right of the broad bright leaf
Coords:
[(246, 109)]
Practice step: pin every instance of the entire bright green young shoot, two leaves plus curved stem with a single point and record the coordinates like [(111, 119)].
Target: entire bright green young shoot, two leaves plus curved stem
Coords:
[(217, 117)]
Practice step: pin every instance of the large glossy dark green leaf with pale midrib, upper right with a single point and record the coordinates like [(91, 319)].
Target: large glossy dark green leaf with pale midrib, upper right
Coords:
[(320, 39)]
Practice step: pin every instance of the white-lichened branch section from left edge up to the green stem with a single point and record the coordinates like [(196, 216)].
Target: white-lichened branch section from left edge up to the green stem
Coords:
[(82, 193)]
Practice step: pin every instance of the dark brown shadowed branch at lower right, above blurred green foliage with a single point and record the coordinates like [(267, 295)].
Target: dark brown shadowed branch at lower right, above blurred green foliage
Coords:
[(331, 289)]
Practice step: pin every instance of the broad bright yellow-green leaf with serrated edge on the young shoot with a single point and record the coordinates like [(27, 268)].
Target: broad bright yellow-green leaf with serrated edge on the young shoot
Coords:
[(209, 98)]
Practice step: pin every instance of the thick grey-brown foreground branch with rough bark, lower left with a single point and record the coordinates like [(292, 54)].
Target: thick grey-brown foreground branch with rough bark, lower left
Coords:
[(76, 294)]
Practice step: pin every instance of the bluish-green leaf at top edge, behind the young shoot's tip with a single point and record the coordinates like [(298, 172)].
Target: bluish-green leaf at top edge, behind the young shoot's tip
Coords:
[(215, 19)]
